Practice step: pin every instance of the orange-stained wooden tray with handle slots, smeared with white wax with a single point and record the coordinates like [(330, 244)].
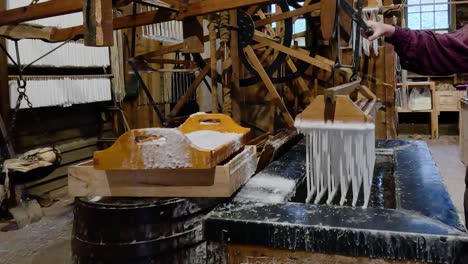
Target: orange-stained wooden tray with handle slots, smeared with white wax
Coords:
[(170, 148)]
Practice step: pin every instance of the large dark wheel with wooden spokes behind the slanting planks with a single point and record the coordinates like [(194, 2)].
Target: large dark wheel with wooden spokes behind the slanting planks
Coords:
[(266, 23)]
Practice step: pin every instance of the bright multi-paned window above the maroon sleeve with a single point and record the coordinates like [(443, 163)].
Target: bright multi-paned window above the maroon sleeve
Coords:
[(428, 14)]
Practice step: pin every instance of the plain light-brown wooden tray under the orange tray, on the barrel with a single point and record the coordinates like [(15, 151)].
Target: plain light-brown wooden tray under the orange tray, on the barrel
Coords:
[(221, 181)]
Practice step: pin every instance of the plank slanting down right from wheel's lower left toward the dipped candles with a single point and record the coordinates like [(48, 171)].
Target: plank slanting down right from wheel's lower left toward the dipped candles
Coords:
[(269, 85)]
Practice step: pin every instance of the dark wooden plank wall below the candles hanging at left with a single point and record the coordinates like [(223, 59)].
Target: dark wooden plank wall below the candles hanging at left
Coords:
[(74, 130)]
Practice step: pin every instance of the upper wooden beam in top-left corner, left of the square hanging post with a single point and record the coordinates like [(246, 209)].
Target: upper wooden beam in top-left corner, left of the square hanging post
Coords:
[(40, 10)]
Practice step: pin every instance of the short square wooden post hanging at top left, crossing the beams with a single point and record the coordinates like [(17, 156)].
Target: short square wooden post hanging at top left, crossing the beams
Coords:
[(98, 23)]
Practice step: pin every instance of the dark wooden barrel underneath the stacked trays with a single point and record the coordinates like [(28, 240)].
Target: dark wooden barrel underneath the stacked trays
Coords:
[(139, 230)]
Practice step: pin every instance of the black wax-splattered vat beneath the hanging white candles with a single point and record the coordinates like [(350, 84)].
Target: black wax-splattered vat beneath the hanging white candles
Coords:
[(410, 216)]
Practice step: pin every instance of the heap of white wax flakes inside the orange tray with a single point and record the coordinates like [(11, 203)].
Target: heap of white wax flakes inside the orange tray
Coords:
[(210, 140)]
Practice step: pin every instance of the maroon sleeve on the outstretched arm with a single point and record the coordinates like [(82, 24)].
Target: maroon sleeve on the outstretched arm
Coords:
[(425, 52)]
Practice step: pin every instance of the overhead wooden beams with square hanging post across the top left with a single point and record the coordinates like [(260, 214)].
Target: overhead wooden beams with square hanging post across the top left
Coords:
[(98, 21)]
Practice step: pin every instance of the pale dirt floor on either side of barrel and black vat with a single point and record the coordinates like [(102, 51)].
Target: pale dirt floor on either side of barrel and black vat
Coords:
[(48, 241)]
